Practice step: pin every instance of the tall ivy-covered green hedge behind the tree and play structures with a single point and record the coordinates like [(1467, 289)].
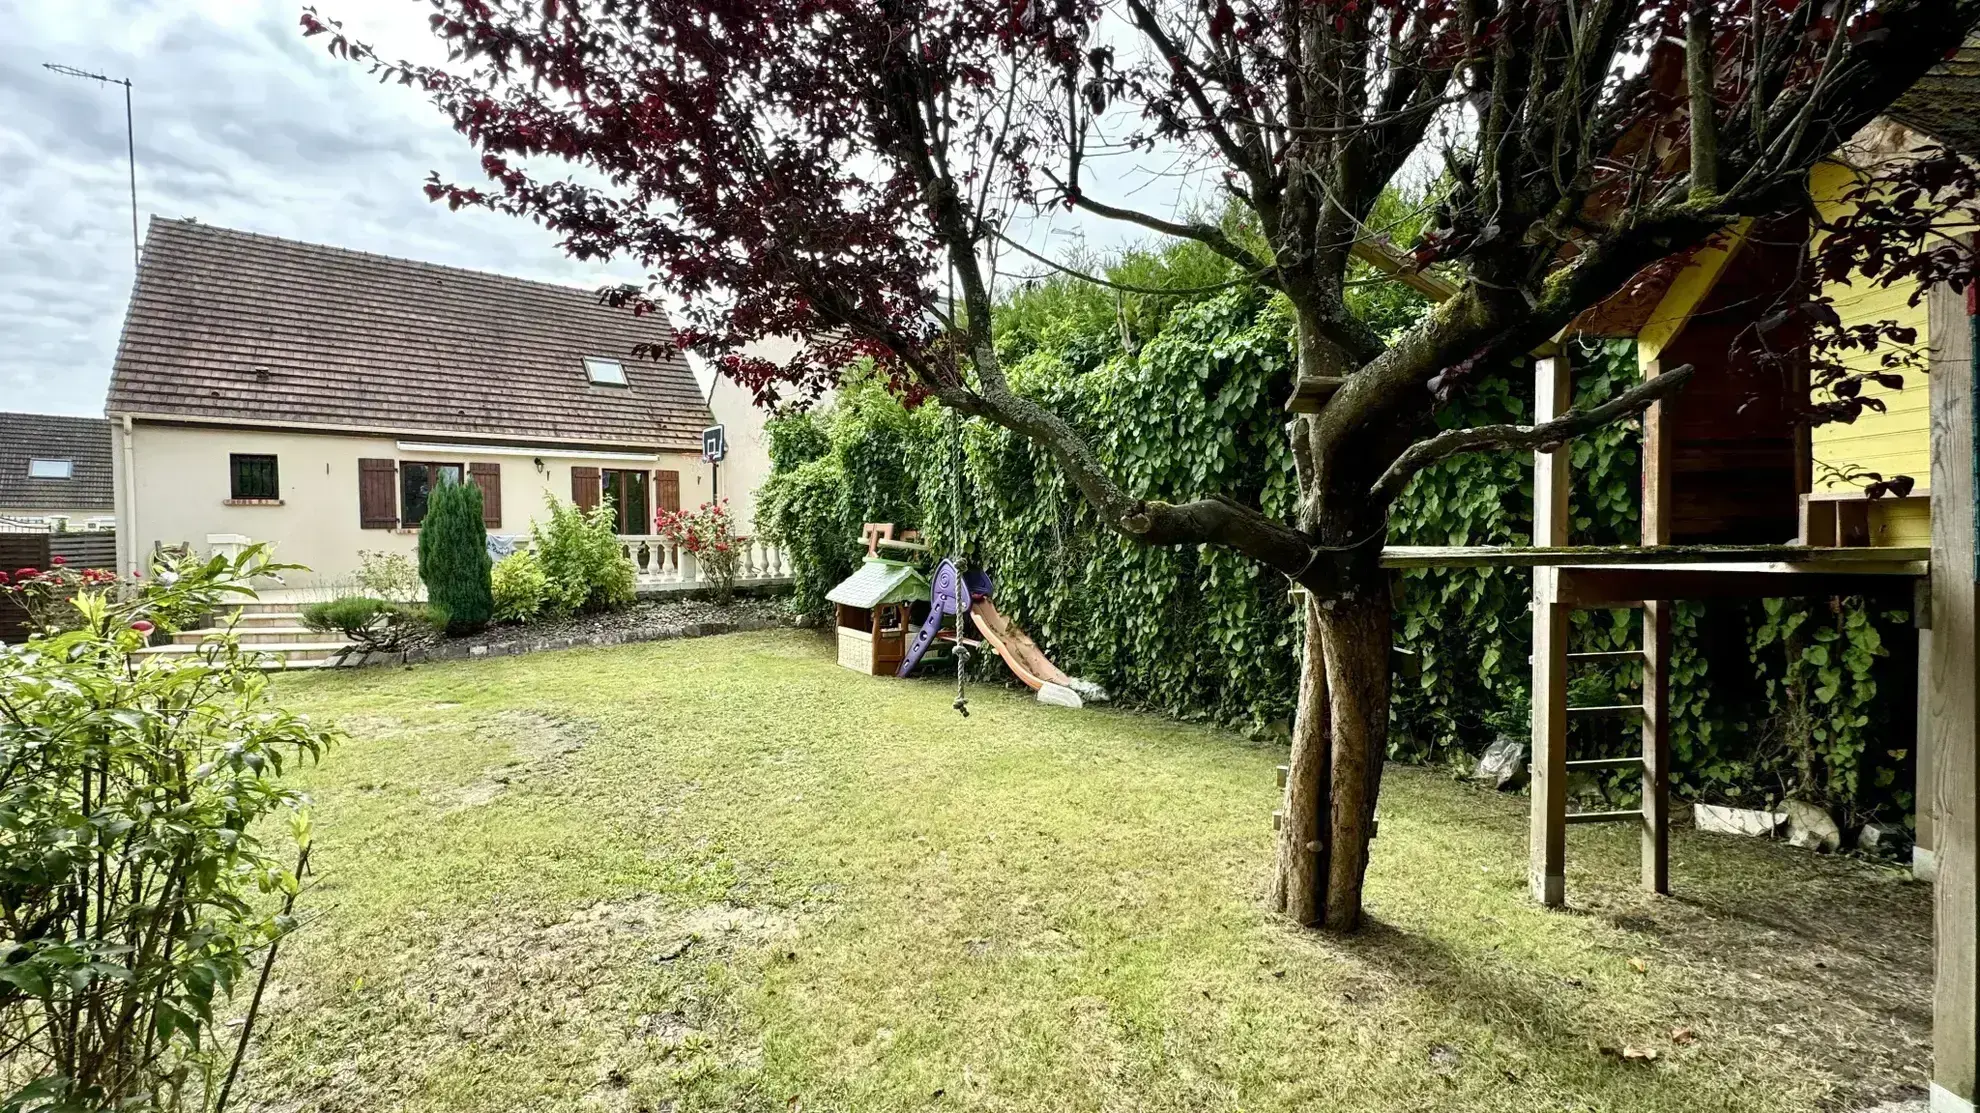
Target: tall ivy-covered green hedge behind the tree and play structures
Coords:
[(1179, 397)]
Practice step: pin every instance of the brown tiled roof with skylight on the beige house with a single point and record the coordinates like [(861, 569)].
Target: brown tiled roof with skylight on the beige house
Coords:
[(243, 328)]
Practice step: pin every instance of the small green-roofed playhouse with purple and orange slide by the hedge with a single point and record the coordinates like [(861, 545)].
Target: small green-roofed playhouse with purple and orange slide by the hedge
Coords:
[(890, 619)]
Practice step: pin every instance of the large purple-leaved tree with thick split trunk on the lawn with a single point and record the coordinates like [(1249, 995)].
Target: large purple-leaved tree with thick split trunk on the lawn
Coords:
[(829, 169)]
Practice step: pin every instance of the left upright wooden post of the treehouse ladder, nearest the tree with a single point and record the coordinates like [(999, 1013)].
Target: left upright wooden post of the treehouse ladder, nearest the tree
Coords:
[(1553, 393)]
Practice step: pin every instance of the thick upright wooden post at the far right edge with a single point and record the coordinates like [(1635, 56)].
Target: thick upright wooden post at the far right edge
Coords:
[(1953, 708)]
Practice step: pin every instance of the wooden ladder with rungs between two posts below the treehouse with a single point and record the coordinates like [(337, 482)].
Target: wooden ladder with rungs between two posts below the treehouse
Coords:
[(1551, 658)]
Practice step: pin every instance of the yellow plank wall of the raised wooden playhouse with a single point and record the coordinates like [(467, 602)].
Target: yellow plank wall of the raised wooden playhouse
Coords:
[(1896, 443)]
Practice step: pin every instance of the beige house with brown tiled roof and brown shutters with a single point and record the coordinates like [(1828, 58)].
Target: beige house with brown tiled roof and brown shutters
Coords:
[(314, 397)]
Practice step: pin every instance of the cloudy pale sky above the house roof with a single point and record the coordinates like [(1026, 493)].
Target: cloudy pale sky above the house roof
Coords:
[(245, 124)]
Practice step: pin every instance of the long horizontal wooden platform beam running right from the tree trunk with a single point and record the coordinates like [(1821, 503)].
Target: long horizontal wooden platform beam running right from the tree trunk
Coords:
[(1793, 557)]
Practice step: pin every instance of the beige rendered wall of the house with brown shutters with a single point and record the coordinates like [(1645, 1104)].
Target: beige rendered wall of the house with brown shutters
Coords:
[(177, 478)]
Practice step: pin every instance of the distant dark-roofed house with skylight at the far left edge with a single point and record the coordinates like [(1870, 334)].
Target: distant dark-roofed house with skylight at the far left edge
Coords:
[(54, 468)]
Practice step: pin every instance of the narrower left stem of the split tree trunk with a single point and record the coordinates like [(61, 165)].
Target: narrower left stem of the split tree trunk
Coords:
[(1300, 880)]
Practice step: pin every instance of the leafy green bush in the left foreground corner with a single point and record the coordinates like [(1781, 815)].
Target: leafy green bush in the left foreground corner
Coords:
[(149, 853)]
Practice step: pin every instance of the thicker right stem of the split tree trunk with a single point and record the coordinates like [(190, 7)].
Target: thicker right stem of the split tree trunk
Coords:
[(1355, 639)]
